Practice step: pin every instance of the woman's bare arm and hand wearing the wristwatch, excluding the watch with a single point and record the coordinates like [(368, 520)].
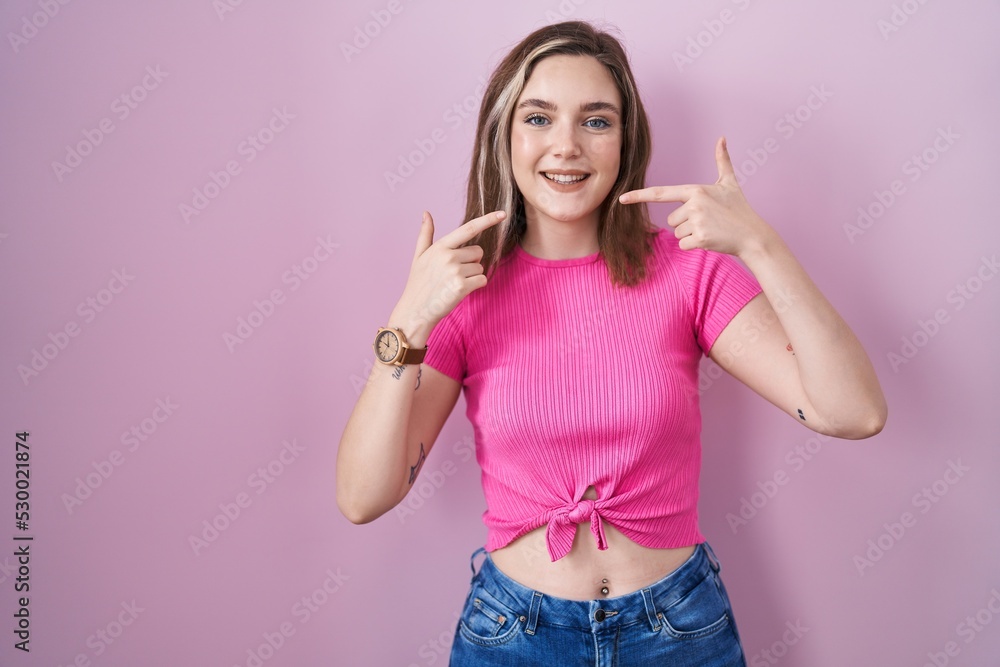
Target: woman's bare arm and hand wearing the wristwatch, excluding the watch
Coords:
[(396, 420)]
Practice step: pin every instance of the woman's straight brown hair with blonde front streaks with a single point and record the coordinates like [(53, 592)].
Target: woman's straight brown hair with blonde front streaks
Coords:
[(624, 229)]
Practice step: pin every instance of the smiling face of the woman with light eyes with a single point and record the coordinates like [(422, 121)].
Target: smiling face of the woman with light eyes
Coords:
[(566, 139)]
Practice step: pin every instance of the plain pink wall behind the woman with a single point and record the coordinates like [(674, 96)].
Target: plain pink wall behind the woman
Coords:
[(315, 196)]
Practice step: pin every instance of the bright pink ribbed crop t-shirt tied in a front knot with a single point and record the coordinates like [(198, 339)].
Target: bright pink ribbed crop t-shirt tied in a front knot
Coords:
[(571, 381)]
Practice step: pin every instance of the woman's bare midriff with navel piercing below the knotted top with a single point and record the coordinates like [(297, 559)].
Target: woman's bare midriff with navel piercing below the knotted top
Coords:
[(586, 572)]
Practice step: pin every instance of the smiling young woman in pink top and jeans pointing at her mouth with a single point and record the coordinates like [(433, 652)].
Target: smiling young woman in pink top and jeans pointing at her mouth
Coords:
[(575, 327)]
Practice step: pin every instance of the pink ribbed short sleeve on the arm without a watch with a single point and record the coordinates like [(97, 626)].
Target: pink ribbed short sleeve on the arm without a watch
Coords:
[(718, 287)]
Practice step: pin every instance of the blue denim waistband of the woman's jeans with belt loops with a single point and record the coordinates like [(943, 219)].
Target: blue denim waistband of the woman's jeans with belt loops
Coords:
[(644, 605)]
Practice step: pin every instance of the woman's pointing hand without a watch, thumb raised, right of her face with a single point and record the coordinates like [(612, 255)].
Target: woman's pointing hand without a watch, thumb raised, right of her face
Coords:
[(713, 217)]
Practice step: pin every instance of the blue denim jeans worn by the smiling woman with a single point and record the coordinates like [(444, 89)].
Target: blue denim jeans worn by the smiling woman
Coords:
[(684, 619)]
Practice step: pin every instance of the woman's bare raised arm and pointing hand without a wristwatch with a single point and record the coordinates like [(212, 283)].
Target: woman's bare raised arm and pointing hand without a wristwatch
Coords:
[(788, 344)]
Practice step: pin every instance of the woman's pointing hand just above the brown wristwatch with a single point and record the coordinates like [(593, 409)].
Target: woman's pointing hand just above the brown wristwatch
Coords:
[(442, 274)]
